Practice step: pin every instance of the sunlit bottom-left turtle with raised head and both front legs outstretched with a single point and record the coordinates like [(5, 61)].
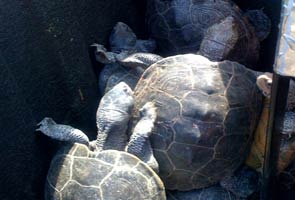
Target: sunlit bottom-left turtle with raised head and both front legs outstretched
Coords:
[(106, 168)]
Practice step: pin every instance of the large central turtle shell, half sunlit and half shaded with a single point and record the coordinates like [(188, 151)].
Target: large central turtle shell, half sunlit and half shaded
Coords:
[(207, 112)]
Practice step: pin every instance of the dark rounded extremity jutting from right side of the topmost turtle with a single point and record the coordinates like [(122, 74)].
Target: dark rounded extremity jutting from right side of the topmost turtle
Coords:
[(260, 21)]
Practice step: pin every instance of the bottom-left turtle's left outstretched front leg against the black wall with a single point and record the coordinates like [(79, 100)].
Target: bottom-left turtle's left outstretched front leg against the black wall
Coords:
[(62, 132)]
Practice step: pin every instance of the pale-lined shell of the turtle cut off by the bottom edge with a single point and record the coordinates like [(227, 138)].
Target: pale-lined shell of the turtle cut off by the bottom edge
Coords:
[(77, 173)]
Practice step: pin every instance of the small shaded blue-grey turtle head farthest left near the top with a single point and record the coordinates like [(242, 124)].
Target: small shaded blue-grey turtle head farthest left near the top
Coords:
[(122, 38)]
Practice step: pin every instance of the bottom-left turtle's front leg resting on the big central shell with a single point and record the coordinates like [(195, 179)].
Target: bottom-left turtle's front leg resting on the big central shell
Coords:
[(139, 143)]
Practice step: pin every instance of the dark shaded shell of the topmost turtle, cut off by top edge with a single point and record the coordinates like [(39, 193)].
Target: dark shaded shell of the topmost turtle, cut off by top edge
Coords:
[(180, 26)]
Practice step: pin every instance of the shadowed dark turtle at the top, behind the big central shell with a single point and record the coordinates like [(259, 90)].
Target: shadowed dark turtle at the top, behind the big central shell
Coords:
[(218, 29)]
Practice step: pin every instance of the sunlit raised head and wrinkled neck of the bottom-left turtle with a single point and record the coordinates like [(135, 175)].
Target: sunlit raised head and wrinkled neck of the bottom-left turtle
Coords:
[(113, 116)]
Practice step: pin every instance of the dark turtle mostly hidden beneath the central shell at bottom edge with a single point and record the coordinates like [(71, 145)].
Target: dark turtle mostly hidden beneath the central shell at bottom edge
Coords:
[(239, 186)]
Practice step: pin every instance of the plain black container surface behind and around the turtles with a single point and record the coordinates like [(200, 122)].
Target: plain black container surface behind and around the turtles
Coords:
[(46, 70)]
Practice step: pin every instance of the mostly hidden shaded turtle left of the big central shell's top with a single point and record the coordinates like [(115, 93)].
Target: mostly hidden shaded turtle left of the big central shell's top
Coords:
[(123, 42)]
